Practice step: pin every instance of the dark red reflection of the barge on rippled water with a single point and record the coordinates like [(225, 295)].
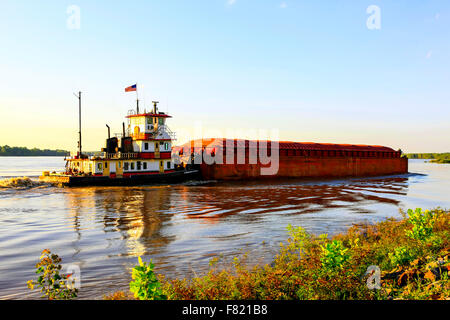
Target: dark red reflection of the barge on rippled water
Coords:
[(290, 197)]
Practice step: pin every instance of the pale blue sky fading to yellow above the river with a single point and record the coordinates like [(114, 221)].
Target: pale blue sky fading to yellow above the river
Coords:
[(337, 71)]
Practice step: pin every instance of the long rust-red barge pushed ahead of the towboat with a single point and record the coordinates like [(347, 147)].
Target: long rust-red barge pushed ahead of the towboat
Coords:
[(296, 159)]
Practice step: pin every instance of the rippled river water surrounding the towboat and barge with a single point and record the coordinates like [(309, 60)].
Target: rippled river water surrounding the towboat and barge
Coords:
[(181, 227)]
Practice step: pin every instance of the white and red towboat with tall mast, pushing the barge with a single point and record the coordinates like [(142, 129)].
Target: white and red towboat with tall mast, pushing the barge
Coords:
[(141, 154)]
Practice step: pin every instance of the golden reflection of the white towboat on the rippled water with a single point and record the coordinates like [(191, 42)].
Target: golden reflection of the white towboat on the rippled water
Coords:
[(135, 214)]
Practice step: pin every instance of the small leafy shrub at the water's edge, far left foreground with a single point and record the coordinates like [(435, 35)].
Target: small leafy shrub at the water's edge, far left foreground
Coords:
[(53, 285)]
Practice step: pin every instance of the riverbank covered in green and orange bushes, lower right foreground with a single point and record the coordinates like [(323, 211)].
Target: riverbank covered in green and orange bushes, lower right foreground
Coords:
[(394, 259)]
